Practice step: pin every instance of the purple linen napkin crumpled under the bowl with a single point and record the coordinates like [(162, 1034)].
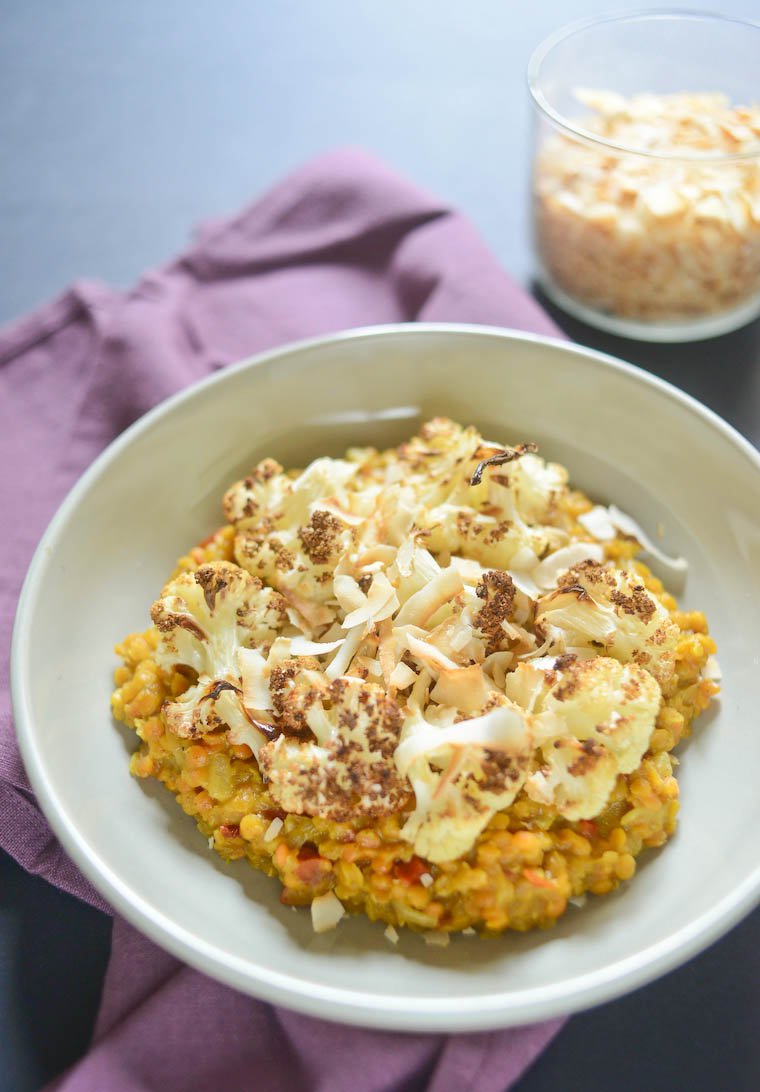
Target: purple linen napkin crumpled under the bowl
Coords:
[(342, 243)]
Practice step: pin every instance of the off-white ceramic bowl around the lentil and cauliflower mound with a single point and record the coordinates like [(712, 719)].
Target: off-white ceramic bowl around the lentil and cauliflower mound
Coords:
[(625, 436)]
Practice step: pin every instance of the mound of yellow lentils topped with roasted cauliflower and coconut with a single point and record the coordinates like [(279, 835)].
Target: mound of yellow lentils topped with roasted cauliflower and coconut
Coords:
[(433, 685)]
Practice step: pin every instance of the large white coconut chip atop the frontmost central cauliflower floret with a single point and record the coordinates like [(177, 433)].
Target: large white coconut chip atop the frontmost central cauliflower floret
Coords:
[(502, 729)]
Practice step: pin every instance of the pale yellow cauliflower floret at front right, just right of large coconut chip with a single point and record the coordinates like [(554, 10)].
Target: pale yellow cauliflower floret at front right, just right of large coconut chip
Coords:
[(593, 721)]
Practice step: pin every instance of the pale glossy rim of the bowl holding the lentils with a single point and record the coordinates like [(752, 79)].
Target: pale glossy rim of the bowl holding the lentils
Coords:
[(320, 1000)]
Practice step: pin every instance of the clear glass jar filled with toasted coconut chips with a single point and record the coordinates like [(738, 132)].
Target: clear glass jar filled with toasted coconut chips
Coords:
[(647, 173)]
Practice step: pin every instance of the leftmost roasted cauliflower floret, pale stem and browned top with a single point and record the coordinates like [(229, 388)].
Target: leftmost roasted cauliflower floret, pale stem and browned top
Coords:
[(204, 620)]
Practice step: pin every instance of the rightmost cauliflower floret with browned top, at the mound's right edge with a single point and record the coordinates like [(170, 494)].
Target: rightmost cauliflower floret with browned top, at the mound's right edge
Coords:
[(610, 610)]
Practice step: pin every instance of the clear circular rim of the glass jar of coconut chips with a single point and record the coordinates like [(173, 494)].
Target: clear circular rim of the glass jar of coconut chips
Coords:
[(542, 104)]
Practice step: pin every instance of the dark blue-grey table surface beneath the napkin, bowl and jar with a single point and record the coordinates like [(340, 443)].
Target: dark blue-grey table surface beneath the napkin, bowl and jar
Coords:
[(123, 125)]
